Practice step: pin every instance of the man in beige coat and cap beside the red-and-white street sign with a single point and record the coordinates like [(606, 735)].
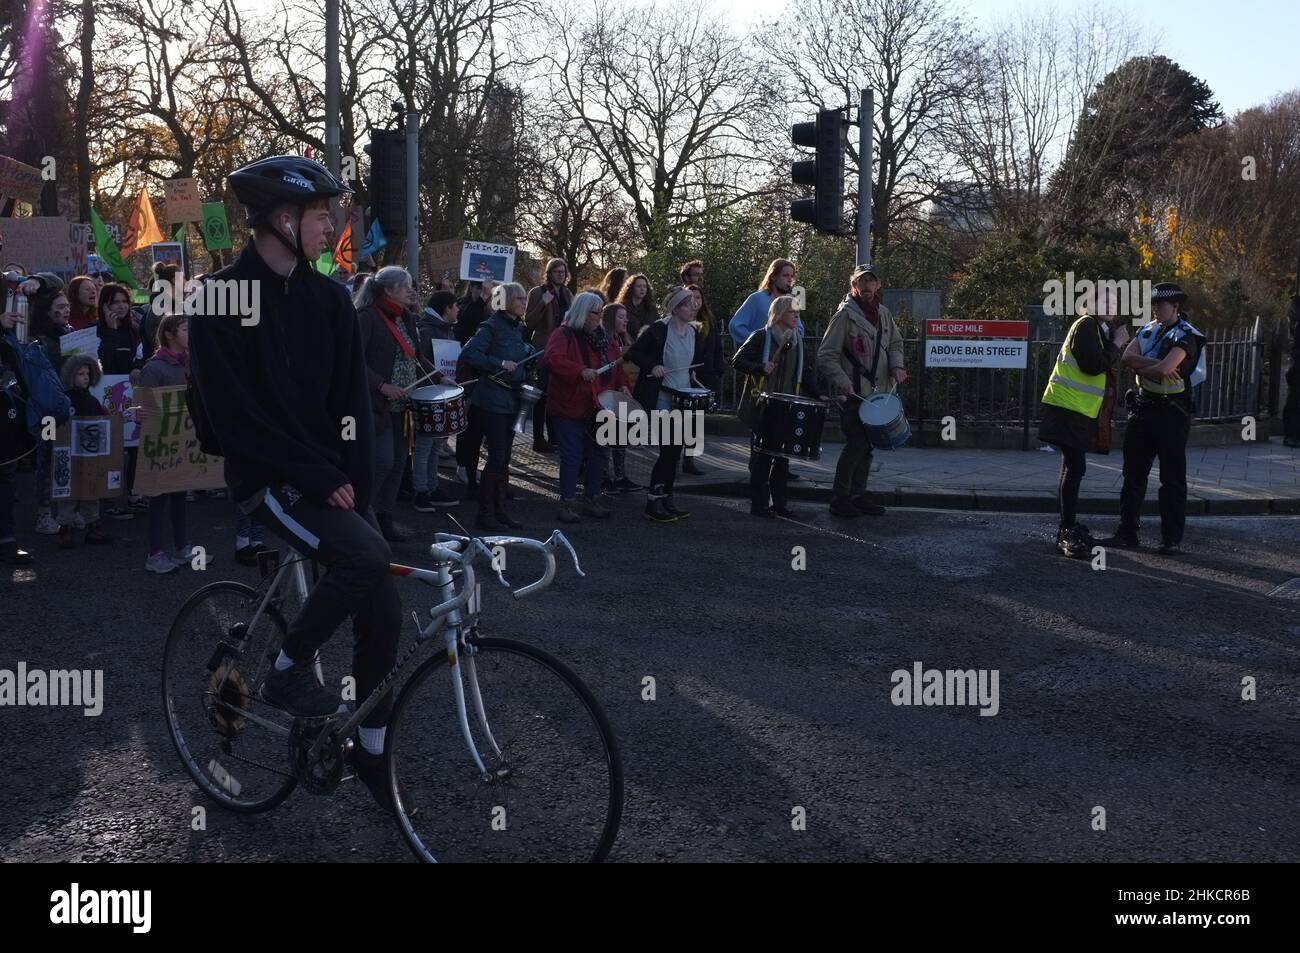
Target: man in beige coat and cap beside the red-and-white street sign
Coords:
[(860, 356)]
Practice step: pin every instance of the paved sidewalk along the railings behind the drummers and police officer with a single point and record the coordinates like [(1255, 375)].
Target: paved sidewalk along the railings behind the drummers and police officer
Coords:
[(1249, 479)]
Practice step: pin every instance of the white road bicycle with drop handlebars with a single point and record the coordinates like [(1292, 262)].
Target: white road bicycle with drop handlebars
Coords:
[(536, 776)]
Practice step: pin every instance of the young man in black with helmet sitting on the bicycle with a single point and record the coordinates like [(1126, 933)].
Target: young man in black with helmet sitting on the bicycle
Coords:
[(284, 398)]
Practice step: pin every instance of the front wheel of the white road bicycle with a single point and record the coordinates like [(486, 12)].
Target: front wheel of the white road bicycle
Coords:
[(553, 794)]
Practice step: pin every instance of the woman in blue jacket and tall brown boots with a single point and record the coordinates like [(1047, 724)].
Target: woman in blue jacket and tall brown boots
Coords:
[(497, 352)]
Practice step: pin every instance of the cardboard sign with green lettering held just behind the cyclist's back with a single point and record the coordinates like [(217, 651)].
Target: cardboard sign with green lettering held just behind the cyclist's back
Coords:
[(170, 458)]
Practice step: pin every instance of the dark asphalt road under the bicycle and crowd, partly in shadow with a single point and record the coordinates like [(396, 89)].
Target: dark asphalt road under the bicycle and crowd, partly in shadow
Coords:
[(1117, 690)]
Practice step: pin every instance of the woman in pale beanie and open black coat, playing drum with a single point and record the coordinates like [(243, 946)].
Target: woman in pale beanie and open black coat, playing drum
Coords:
[(665, 353)]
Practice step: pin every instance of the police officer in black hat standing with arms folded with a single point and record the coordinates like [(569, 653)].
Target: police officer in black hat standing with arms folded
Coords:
[(1169, 358)]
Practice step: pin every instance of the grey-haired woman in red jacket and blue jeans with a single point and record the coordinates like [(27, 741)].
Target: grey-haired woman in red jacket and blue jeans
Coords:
[(575, 353)]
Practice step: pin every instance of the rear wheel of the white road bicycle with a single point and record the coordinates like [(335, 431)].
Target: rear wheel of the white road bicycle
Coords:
[(235, 746)]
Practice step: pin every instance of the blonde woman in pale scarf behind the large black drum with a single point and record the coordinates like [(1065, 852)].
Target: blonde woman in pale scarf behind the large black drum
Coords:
[(774, 361)]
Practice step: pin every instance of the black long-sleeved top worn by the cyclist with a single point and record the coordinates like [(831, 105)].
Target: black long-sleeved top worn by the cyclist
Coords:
[(281, 393)]
